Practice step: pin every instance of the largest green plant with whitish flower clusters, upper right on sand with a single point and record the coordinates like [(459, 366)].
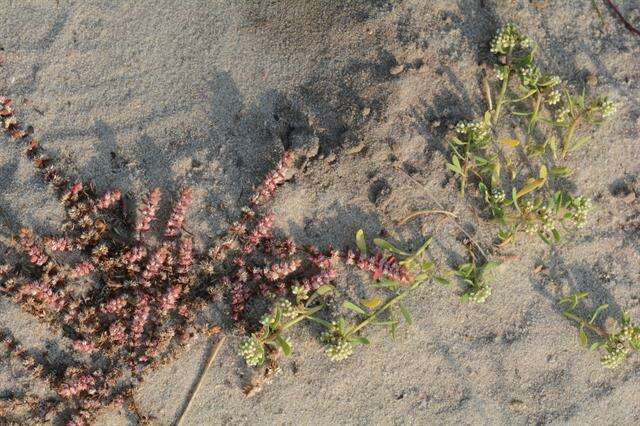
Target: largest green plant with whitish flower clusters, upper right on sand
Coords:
[(526, 195)]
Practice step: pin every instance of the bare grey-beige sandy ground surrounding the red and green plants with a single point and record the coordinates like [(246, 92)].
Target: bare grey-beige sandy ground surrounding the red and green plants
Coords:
[(160, 93)]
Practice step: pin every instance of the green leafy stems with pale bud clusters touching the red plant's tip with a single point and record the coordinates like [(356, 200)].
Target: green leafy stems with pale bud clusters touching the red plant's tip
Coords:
[(340, 336)]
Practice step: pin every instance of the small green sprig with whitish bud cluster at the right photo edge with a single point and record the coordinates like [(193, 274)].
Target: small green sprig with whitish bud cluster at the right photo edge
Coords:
[(616, 343)]
